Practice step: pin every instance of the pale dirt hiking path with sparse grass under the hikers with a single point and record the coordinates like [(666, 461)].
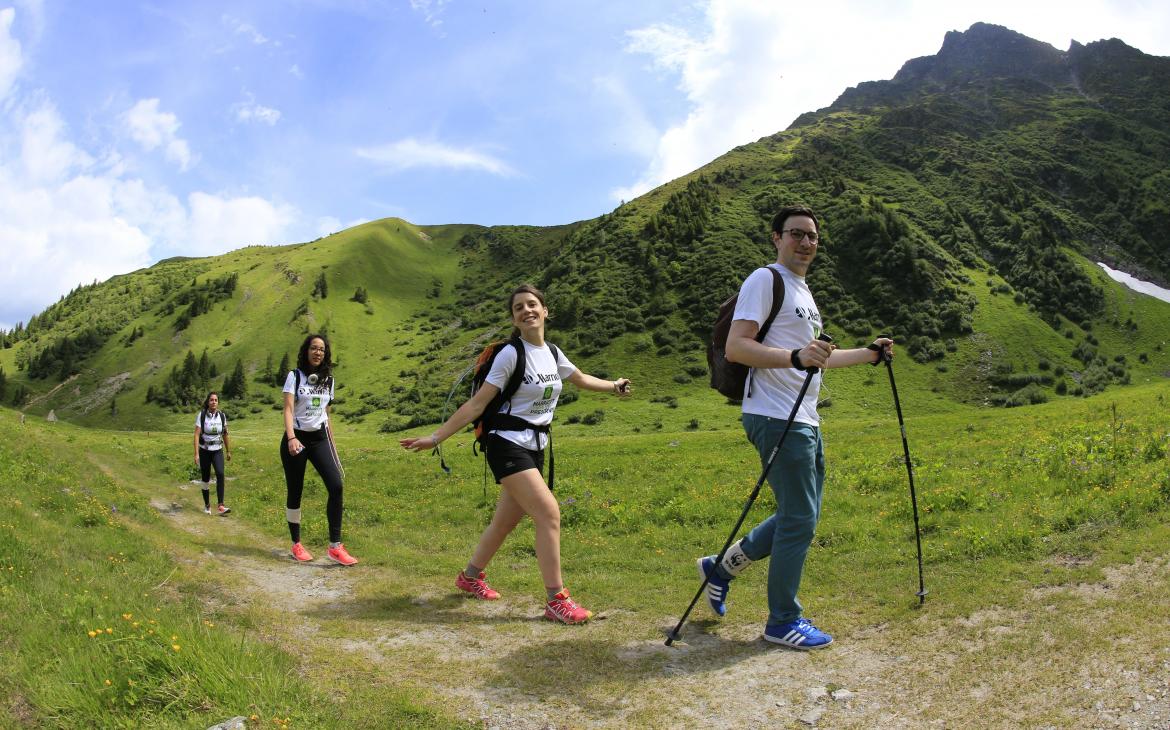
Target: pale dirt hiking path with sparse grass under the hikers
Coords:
[(508, 669)]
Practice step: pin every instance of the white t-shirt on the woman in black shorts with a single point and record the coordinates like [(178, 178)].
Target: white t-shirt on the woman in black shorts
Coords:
[(536, 398)]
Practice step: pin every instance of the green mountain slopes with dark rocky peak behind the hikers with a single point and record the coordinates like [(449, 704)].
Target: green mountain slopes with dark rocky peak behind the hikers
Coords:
[(963, 205)]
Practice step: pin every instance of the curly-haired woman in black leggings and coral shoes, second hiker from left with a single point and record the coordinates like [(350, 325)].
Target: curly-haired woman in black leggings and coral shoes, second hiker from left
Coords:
[(308, 438)]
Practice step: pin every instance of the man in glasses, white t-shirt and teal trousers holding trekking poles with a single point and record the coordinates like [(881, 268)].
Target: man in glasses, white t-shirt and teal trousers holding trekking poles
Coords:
[(780, 364)]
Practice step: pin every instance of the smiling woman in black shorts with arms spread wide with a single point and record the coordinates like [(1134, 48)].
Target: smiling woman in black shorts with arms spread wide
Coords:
[(517, 456)]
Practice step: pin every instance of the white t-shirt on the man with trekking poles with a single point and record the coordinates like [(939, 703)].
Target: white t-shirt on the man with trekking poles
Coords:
[(775, 390)]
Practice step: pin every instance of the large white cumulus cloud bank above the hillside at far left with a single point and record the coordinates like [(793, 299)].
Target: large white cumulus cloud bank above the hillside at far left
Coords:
[(68, 218)]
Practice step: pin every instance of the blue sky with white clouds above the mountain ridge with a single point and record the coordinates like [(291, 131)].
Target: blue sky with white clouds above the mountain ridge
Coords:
[(135, 132)]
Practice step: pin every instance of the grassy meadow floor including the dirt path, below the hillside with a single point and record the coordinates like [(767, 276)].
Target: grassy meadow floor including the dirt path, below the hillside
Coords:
[(1043, 528)]
